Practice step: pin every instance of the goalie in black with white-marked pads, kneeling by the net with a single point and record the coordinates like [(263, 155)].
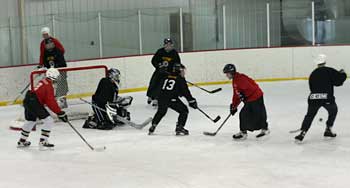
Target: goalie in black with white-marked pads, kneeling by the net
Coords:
[(107, 106)]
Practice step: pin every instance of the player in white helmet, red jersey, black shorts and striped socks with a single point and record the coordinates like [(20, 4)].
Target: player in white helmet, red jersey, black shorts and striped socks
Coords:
[(34, 103)]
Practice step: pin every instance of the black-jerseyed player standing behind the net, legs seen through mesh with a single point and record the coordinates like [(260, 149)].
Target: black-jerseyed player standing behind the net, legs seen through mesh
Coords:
[(53, 57)]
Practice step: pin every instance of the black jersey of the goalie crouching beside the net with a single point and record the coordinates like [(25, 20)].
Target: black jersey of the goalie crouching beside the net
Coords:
[(107, 91)]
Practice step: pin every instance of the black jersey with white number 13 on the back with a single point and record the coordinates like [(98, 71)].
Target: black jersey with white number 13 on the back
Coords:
[(173, 87)]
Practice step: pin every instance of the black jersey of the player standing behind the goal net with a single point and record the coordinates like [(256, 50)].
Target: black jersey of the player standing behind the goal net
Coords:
[(56, 57)]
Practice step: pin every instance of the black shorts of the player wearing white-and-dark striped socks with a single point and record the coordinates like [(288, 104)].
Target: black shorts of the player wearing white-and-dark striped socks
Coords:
[(33, 109)]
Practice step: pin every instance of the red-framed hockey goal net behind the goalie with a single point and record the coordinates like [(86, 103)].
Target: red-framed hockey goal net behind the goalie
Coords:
[(72, 84)]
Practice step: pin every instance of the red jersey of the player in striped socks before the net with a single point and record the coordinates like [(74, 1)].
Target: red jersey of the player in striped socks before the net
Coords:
[(45, 93)]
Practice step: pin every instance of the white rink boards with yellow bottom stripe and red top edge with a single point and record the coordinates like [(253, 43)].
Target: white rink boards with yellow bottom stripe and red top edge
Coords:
[(204, 67)]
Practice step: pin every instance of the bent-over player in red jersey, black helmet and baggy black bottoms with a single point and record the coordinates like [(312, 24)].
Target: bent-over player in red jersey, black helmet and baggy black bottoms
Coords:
[(253, 114)]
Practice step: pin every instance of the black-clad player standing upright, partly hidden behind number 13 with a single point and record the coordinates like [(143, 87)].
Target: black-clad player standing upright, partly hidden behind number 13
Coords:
[(162, 61)]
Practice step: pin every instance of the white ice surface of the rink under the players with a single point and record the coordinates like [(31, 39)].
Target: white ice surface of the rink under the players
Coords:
[(134, 159)]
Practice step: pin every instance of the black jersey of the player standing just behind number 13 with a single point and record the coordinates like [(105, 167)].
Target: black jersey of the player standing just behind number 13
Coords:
[(162, 56)]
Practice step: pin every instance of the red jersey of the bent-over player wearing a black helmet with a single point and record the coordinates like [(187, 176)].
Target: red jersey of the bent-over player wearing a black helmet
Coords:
[(244, 89)]
